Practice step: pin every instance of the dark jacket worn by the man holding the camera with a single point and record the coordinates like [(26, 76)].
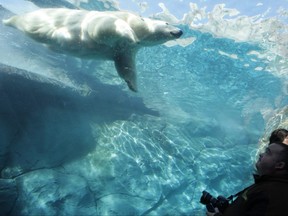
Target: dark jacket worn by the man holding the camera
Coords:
[(268, 196)]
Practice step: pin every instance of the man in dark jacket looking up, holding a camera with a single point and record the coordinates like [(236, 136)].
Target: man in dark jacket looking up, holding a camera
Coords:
[(268, 195)]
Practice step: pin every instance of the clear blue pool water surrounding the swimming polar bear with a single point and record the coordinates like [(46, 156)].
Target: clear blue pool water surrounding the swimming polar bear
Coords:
[(75, 140)]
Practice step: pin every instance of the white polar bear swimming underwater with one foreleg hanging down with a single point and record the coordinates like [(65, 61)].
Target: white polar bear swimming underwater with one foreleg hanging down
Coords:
[(110, 35)]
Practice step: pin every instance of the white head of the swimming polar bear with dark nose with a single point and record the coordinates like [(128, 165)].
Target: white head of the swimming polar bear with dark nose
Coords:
[(152, 32)]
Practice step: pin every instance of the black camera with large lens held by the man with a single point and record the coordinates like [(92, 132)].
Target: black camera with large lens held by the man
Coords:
[(211, 202)]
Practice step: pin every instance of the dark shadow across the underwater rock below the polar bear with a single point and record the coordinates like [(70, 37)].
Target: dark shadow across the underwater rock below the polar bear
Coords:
[(47, 122)]
